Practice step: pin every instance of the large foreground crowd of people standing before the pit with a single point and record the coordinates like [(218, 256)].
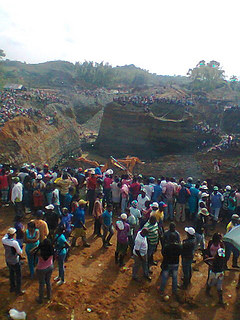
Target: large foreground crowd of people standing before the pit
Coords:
[(136, 208)]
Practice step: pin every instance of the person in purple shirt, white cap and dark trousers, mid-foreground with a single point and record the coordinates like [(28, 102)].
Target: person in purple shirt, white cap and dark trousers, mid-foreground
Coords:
[(123, 230)]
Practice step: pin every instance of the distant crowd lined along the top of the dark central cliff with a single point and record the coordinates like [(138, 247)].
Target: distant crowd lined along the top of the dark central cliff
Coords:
[(143, 101)]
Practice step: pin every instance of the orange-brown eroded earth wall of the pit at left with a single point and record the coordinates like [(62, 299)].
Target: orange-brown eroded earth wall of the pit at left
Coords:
[(26, 140)]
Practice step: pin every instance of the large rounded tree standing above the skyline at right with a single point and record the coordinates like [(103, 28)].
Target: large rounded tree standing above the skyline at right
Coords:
[(206, 76)]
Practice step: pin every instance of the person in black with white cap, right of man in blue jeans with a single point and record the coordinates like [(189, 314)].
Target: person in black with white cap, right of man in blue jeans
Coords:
[(188, 247)]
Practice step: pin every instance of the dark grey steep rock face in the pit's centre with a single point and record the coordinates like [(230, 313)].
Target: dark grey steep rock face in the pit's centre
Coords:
[(129, 130)]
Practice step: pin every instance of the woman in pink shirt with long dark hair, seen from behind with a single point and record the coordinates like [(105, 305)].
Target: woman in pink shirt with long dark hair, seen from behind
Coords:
[(44, 268)]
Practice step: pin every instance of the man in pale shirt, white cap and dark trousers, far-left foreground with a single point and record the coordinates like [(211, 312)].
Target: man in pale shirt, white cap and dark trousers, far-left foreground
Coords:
[(12, 254)]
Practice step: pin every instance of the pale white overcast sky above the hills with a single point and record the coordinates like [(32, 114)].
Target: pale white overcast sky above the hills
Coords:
[(164, 37)]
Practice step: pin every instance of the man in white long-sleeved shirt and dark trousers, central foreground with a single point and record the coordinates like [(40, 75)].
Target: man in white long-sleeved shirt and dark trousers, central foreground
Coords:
[(140, 255)]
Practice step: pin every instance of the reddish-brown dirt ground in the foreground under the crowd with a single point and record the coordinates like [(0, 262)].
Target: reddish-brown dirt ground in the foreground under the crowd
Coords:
[(94, 283)]
